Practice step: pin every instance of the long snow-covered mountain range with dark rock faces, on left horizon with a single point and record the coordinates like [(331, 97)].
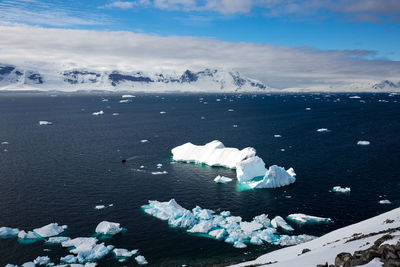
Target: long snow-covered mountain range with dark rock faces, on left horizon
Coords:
[(207, 80)]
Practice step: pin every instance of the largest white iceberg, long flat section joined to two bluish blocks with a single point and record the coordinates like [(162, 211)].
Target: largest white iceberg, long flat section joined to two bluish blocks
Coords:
[(250, 169)]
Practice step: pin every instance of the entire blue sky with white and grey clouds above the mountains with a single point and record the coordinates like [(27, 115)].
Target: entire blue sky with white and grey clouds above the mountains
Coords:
[(284, 43)]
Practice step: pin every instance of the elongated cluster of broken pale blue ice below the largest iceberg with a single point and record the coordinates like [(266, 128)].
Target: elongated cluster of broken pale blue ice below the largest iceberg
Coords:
[(224, 226)]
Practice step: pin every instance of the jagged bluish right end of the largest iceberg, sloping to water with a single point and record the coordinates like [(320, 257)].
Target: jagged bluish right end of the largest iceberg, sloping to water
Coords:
[(275, 177)]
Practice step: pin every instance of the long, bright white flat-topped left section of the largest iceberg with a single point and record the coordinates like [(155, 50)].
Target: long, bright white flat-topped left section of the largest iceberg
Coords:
[(212, 154)]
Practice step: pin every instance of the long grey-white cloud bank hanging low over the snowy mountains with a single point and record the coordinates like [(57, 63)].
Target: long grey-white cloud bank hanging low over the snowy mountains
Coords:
[(279, 66)]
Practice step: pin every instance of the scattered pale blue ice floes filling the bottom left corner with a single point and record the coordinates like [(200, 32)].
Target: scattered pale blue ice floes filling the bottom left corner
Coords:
[(83, 251)]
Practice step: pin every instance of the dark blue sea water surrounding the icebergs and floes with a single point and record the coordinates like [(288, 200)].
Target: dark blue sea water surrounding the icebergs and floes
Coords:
[(58, 173)]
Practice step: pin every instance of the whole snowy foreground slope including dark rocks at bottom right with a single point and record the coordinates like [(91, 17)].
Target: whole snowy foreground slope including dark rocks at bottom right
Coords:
[(357, 239)]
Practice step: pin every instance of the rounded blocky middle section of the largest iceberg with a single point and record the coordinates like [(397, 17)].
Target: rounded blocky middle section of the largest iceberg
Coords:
[(250, 168)]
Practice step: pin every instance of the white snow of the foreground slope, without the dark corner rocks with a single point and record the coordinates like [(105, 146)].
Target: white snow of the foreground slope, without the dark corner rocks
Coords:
[(356, 237)]
